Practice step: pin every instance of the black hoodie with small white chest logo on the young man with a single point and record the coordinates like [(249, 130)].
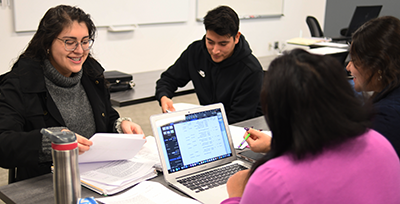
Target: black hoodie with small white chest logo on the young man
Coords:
[(236, 82)]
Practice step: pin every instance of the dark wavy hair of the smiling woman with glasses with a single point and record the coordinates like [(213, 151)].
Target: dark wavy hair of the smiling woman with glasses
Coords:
[(51, 25)]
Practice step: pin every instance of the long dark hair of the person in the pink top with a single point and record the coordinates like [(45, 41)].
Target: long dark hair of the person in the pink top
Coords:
[(309, 105)]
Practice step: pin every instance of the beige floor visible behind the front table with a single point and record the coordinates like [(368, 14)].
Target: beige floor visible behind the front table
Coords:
[(140, 114)]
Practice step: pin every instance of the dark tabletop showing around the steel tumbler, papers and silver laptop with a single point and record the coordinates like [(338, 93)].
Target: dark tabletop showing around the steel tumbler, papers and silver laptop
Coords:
[(40, 189)]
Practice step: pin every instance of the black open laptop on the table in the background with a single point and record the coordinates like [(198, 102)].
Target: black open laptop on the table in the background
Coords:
[(361, 15)]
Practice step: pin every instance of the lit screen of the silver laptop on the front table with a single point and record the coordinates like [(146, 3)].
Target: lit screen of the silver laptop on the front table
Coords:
[(195, 139)]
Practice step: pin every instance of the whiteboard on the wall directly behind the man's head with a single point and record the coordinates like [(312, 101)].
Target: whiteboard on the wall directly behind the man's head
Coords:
[(244, 8)]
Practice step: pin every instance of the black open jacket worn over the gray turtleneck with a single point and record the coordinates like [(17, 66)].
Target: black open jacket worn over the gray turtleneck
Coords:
[(26, 107)]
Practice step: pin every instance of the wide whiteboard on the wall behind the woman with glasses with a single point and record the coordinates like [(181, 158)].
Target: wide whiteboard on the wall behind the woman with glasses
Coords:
[(27, 13)]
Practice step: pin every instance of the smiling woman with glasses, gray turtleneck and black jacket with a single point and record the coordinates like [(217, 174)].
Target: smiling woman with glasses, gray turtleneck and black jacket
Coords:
[(57, 84)]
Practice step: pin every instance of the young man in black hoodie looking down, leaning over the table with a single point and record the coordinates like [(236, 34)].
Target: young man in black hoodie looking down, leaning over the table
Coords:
[(221, 67)]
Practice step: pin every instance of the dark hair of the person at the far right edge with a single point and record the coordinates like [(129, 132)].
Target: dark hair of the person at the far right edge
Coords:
[(376, 46)]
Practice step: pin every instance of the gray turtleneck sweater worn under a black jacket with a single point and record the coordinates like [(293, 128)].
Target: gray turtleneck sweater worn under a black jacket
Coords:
[(71, 100)]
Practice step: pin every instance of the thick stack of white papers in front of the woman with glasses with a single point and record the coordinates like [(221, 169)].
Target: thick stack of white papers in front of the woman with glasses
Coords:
[(111, 165)]
